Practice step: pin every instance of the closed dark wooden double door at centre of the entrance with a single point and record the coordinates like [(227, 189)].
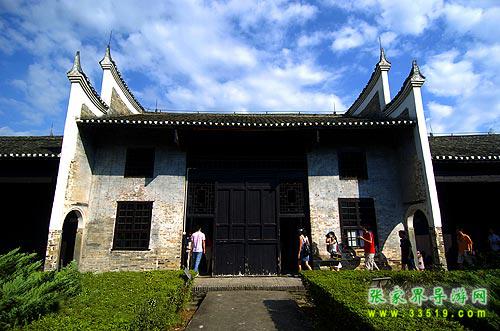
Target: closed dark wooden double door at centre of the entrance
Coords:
[(246, 229)]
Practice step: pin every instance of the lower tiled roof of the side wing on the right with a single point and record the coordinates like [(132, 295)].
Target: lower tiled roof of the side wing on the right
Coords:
[(466, 147)]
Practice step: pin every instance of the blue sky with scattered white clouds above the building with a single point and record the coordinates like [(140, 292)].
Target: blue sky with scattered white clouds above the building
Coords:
[(251, 55)]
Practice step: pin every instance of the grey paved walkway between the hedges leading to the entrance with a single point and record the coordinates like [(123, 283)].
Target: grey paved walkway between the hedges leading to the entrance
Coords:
[(250, 310)]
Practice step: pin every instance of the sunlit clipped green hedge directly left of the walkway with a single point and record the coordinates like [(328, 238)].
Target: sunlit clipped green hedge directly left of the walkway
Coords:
[(121, 301)]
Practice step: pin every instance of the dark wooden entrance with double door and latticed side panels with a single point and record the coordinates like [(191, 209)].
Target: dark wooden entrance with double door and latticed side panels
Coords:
[(252, 220)]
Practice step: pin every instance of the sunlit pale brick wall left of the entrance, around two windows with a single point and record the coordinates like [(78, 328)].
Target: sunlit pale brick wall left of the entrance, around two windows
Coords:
[(166, 190)]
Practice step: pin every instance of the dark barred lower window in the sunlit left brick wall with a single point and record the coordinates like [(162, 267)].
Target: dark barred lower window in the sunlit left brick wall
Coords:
[(133, 225)]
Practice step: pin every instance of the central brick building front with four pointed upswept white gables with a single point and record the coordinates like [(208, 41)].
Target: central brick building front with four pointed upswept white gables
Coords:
[(132, 183)]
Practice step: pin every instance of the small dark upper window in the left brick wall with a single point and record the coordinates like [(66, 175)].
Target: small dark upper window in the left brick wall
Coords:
[(140, 162)]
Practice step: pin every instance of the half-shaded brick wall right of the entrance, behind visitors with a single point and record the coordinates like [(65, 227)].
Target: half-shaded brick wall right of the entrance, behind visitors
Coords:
[(382, 185)]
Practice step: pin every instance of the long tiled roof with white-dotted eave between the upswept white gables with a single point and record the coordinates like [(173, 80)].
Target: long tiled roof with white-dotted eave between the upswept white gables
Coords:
[(244, 120)]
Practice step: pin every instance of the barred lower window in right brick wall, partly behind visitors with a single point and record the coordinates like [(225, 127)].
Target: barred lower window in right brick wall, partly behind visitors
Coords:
[(354, 214)]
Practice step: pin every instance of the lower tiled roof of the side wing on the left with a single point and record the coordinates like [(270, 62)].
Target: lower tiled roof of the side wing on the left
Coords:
[(31, 147)]
